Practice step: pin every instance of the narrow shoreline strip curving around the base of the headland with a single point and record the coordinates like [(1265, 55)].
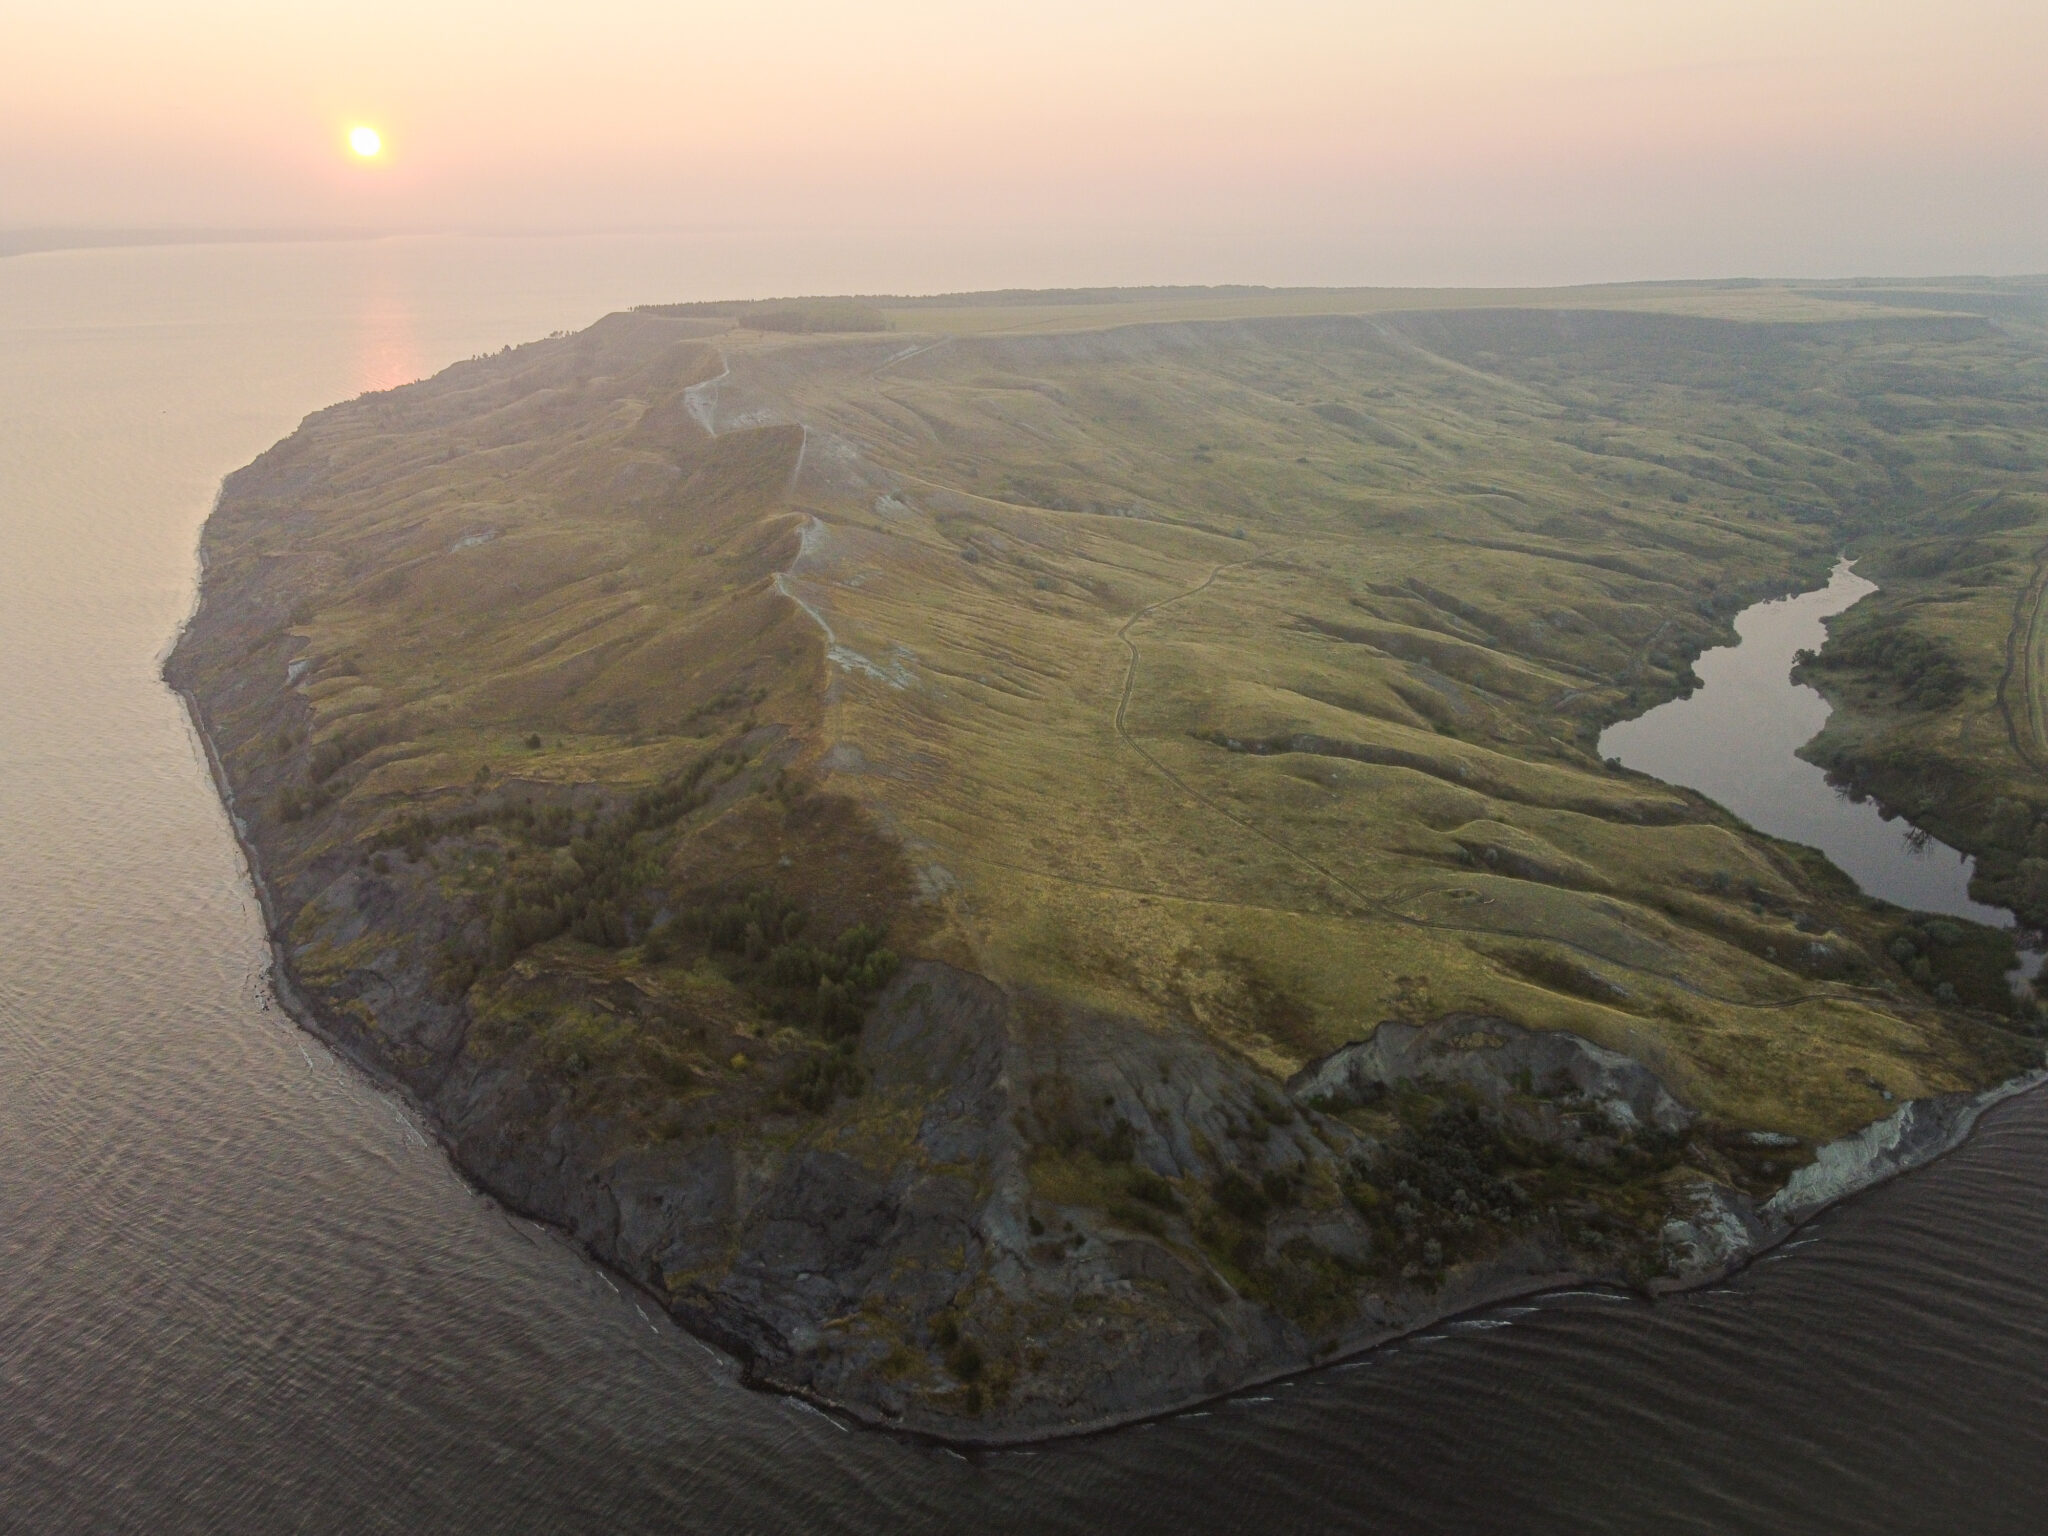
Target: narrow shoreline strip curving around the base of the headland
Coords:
[(1961, 1117)]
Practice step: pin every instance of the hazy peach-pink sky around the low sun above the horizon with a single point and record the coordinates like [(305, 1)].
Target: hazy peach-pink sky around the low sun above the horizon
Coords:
[(1263, 140)]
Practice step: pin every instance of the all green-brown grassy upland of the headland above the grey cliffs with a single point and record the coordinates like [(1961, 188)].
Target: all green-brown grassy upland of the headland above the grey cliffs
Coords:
[(1224, 665)]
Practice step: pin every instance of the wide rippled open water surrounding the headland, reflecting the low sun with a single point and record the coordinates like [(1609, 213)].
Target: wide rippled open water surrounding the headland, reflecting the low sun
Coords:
[(241, 1293)]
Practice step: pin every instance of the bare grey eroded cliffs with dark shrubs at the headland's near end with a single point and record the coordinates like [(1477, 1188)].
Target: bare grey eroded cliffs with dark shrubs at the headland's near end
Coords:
[(1037, 1220)]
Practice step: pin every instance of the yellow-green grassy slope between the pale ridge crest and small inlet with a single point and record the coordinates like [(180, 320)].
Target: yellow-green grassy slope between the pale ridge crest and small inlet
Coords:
[(1265, 663)]
